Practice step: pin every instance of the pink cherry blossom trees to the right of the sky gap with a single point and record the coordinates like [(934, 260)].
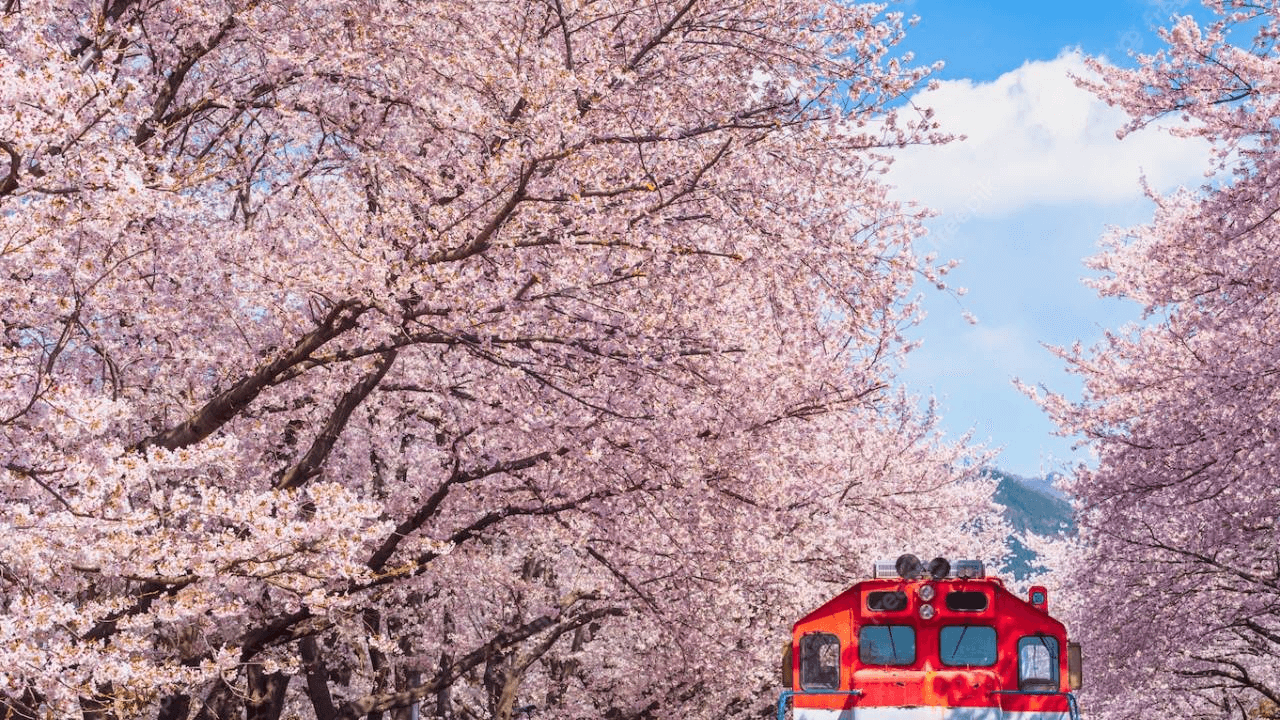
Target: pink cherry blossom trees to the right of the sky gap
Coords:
[(1180, 578)]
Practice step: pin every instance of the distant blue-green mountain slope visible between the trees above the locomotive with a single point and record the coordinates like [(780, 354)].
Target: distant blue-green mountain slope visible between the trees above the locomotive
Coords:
[(1031, 505)]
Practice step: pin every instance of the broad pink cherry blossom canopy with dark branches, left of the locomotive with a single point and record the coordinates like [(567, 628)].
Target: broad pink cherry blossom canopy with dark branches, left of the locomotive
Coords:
[(473, 356)]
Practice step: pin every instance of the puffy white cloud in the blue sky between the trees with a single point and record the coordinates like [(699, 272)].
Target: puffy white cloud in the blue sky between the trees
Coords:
[(1032, 138)]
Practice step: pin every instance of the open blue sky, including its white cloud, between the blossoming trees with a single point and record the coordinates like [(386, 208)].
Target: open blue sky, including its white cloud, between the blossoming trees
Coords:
[(1023, 200)]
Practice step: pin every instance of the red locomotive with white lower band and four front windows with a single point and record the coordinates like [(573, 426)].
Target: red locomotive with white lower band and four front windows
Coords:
[(936, 642)]
